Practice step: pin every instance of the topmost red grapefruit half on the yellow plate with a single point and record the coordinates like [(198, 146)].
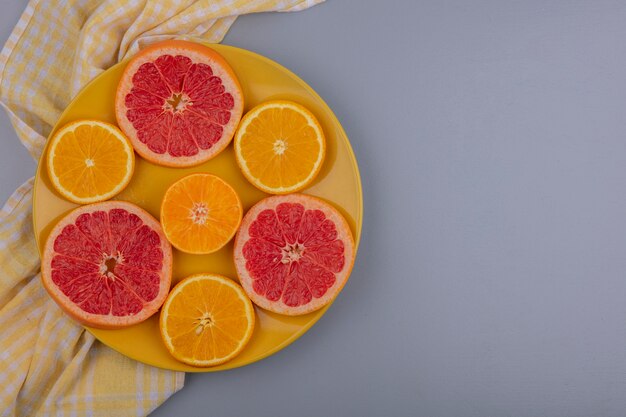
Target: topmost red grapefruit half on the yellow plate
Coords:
[(179, 102)]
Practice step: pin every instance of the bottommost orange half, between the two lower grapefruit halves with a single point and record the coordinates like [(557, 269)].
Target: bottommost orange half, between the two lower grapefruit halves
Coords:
[(206, 320)]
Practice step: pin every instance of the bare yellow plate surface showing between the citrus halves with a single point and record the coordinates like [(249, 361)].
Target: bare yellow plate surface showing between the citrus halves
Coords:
[(338, 183)]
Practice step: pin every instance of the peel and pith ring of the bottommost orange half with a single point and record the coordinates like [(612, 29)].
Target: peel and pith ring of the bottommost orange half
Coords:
[(167, 340)]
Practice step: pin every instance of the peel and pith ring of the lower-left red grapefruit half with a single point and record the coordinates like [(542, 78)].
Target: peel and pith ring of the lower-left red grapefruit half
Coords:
[(98, 320)]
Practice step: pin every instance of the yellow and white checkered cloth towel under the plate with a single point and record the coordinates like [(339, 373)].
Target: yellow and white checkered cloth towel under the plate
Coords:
[(49, 365)]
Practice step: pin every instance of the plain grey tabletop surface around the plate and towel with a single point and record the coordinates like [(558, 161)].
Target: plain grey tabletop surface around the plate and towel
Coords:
[(490, 281)]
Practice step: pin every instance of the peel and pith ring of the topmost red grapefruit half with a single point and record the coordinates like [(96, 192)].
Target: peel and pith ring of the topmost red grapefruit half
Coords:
[(198, 54)]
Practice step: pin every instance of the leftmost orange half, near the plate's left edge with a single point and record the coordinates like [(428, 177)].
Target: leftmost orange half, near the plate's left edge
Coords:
[(89, 161)]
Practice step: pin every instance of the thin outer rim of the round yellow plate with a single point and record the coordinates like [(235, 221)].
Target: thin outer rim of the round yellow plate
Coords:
[(358, 220)]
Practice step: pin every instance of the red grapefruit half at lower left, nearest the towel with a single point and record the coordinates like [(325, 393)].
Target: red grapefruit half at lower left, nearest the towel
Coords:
[(107, 265)]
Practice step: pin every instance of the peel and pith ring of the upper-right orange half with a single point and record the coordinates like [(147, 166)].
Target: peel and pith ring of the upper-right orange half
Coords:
[(312, 122)]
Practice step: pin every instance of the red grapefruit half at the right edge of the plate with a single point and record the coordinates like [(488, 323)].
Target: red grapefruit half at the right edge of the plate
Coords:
[(293, 253)]
